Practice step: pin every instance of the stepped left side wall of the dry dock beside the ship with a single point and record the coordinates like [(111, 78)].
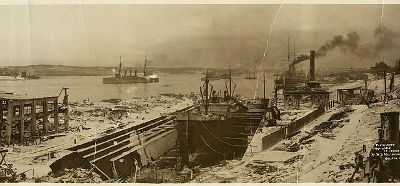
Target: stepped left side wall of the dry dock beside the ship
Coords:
[(116, 155)]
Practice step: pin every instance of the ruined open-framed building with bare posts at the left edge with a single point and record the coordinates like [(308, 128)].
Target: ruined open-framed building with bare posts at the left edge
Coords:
[(25, 119)]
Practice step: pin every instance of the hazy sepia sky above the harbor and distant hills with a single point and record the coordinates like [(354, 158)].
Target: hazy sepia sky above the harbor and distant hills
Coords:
[(202, 35)]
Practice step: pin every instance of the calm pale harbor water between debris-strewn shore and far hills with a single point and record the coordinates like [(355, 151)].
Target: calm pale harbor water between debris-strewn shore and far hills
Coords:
[(92, 87)]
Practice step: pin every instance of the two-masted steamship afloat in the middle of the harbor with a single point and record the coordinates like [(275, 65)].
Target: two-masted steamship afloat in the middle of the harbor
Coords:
[(119, 79)]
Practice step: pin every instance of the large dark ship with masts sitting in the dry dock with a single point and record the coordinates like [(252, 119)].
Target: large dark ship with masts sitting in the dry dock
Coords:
[(219, 127)]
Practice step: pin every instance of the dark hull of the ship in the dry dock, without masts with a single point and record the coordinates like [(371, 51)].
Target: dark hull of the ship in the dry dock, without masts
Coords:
[(206, 140)]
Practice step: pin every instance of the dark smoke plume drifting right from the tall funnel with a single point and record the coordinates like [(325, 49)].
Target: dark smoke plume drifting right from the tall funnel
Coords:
[(383, 41)]
